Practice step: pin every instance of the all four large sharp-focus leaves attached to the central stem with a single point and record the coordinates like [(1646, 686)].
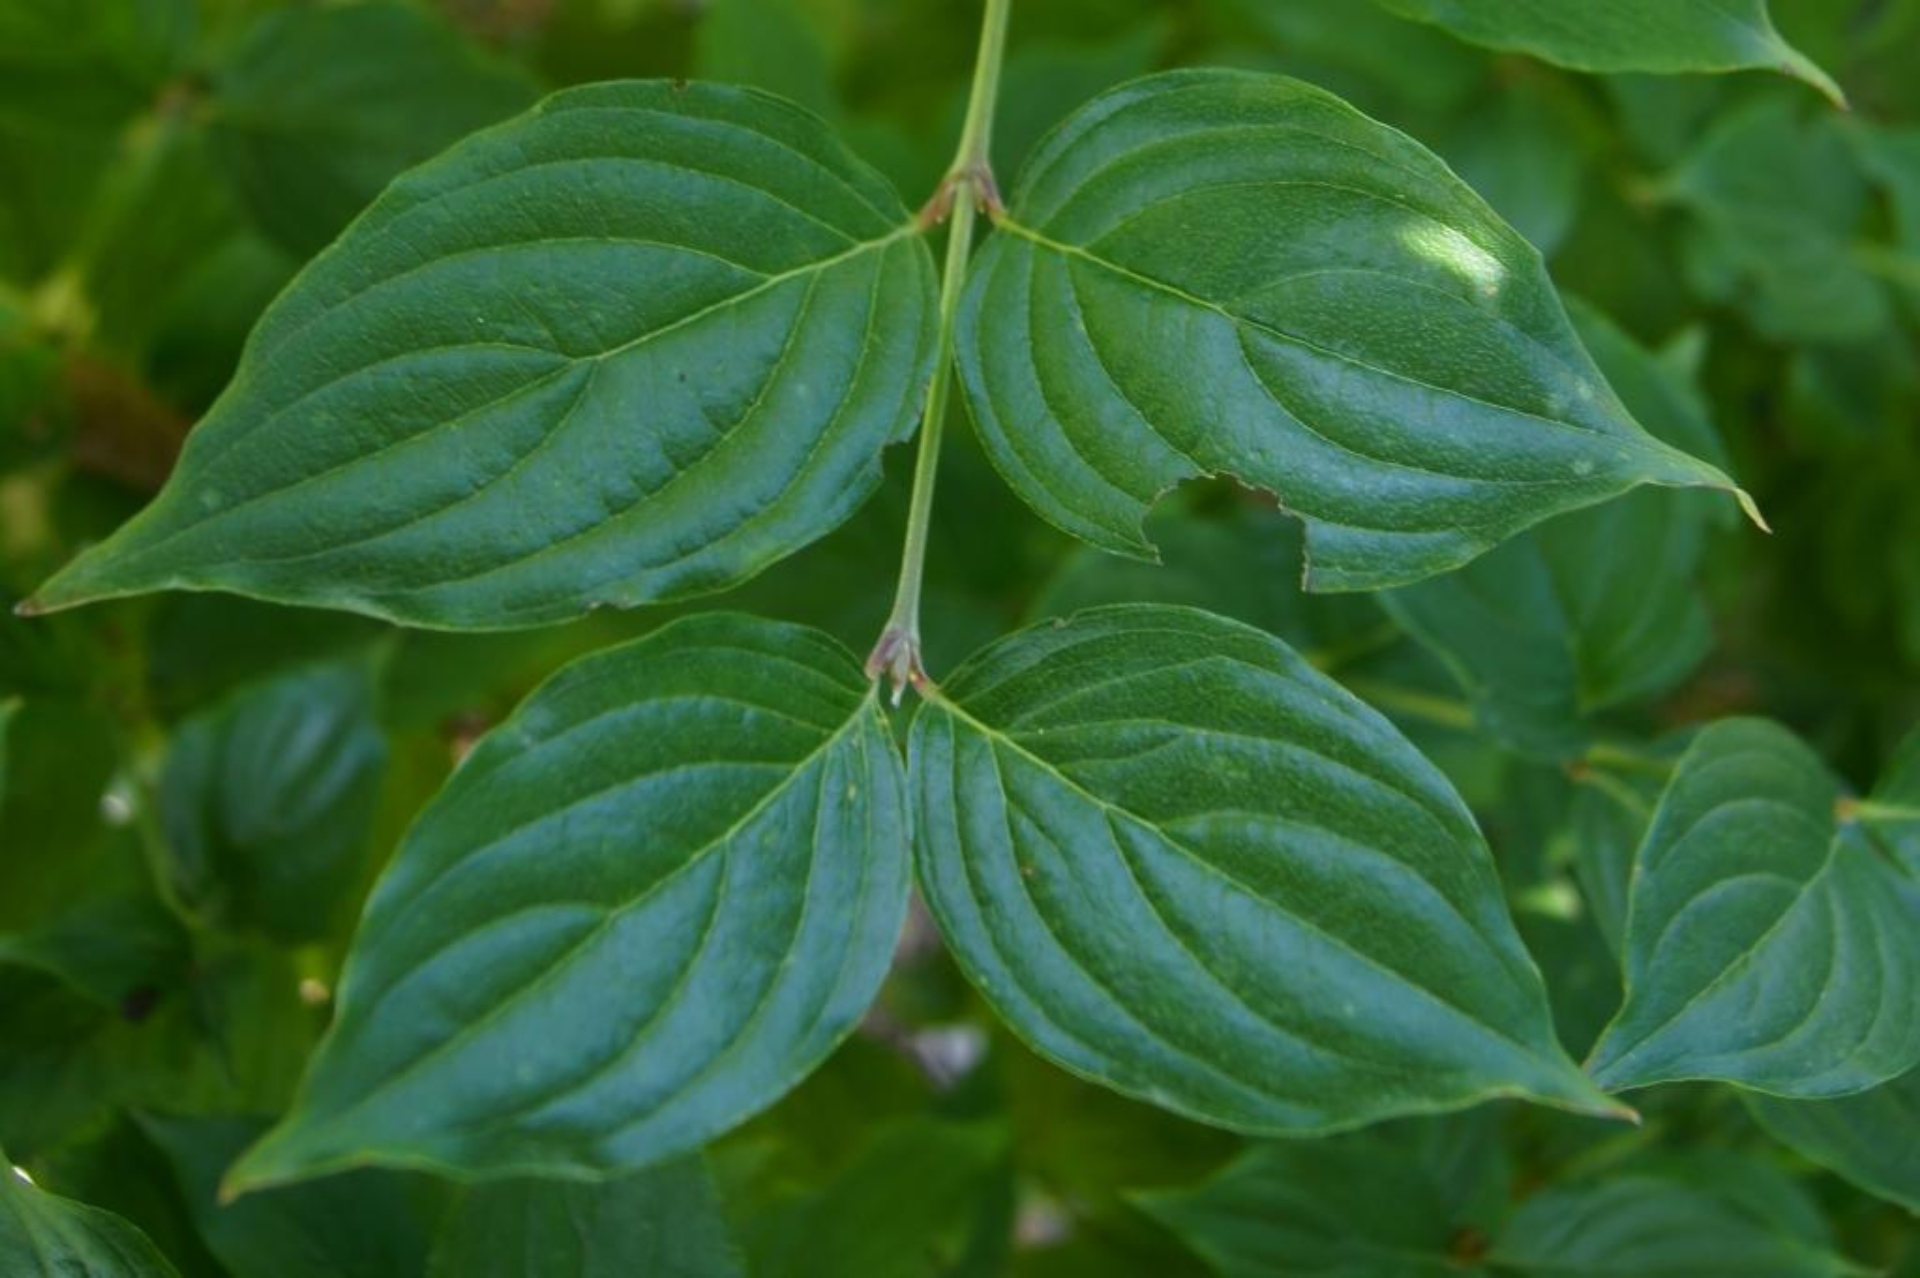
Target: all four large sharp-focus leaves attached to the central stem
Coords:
[(650, 339)]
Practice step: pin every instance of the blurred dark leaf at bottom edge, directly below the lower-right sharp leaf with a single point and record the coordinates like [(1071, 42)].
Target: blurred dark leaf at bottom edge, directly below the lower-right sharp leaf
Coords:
[(1360, 1204)]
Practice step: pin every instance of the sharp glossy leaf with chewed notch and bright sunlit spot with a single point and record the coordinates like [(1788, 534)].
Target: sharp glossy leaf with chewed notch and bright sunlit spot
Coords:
[(1214, 272)]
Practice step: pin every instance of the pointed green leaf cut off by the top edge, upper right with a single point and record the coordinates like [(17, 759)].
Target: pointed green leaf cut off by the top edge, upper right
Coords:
[(1629, 35)]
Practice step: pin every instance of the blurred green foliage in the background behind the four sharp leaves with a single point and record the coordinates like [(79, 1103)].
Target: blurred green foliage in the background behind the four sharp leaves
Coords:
[(199, 790)]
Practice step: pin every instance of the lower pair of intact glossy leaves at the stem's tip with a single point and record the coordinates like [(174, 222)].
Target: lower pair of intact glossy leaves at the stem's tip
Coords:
[(1174, 857)]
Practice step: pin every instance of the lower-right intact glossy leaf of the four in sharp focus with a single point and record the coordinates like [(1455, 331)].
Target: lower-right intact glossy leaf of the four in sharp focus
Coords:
[(1184, 864)]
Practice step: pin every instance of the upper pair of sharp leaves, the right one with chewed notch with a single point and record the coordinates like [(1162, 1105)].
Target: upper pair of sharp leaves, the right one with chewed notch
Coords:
[(646, 341)]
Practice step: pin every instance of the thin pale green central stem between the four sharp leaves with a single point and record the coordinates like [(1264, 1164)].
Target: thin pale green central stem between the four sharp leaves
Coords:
[(967, 189)]
